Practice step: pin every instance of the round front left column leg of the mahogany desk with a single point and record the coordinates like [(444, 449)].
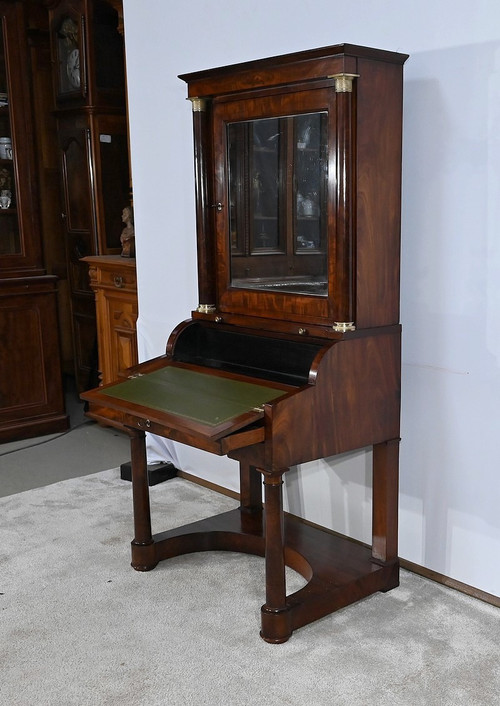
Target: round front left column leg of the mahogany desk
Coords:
[(143, 558)]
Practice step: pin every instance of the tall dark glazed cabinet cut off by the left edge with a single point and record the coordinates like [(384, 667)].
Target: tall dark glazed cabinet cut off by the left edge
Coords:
[(31, 397)]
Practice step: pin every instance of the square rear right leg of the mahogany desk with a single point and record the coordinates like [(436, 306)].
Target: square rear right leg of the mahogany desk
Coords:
[(385, 501)]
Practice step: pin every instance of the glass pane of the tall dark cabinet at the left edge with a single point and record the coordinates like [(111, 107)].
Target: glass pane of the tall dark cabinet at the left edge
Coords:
[(10, 243)]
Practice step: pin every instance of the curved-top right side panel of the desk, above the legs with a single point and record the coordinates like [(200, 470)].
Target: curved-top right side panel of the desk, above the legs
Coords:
[(355, 402)]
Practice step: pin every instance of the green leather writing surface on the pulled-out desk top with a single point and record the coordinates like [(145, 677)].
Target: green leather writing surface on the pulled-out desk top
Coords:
[(208, 399)]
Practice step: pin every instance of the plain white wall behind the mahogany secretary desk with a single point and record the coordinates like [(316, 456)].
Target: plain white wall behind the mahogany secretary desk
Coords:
[(450, 485)]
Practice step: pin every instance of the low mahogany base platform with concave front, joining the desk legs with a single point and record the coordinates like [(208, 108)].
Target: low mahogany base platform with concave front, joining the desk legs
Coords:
[(339, 571)]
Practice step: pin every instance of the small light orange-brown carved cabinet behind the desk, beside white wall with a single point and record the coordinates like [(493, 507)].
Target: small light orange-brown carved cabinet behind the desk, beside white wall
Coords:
[(114, 282)]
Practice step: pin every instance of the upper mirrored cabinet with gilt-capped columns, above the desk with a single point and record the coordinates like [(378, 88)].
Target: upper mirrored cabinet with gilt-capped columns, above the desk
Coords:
[(298, 187)]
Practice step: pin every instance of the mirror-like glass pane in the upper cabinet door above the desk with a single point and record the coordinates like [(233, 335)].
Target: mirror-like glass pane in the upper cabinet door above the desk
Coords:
[(278, 170)]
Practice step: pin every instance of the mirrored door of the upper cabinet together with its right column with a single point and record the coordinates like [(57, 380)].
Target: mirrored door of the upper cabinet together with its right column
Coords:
[(283, 225)]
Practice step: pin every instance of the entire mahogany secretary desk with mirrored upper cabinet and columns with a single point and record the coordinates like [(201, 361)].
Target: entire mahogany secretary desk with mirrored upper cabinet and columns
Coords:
[(293, 353)]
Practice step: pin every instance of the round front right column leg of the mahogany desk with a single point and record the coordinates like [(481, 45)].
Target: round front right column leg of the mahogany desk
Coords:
[(275, 615)]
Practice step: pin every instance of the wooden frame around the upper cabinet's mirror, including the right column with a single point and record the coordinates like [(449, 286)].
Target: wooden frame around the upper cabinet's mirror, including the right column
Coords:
[(337, 305)]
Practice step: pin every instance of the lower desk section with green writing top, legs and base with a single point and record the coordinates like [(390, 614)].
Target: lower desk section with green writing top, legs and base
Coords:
[(269, 425)]
